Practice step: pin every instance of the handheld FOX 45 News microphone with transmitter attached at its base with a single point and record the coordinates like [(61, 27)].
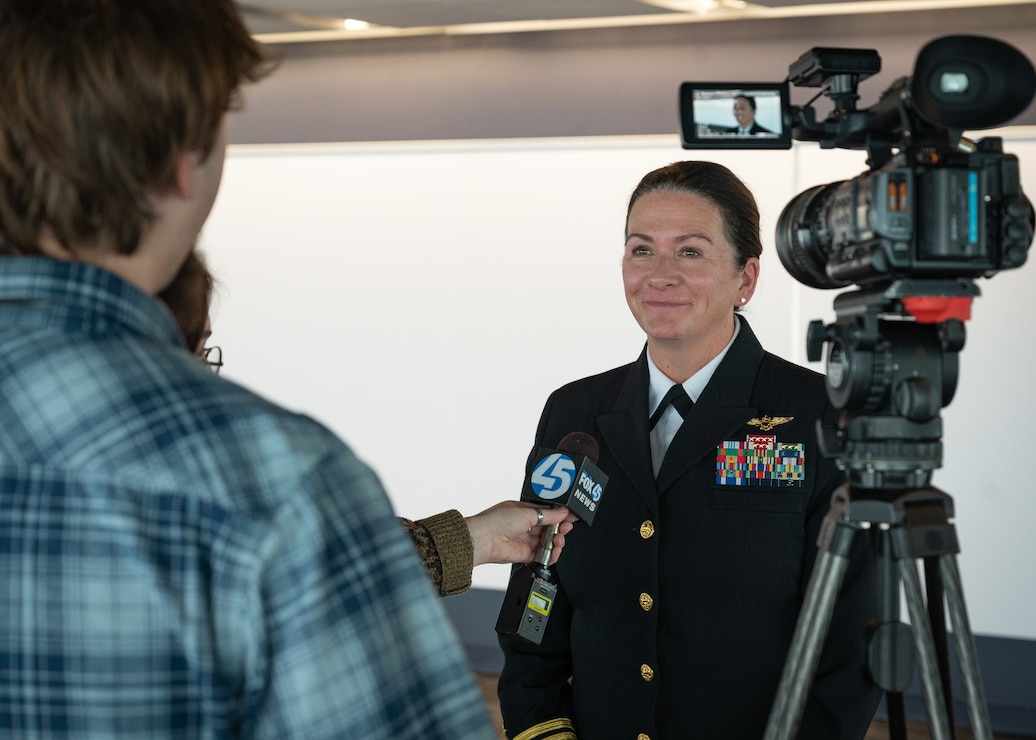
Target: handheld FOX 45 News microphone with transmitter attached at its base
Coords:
[(568, 476)]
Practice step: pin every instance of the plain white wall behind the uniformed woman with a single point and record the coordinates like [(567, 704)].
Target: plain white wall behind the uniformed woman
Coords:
[(422, 300)]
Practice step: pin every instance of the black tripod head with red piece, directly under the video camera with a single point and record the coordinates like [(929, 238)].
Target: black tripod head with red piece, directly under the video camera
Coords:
[(893, 365)]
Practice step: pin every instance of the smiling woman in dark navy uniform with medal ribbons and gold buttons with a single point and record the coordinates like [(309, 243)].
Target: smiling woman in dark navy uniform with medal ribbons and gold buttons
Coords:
[(675, 612)]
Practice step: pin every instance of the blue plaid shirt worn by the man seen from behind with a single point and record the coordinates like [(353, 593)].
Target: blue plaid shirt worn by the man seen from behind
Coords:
[(180, 558)]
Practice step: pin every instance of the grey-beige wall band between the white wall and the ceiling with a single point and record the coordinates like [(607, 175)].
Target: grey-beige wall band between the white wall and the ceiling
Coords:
[(598, 82)]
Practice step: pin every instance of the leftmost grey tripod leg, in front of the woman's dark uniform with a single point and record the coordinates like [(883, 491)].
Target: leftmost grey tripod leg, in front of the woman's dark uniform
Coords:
[(825, 582)]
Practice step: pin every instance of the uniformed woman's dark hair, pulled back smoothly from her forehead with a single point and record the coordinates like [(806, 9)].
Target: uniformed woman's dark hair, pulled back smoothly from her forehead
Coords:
[(715, 183)]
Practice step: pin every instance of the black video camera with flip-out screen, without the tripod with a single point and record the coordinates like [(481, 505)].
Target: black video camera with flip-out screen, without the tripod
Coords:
[(934, 205)]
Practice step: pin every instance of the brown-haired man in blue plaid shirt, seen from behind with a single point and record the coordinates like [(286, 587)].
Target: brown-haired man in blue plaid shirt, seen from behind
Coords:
[(179, 557)]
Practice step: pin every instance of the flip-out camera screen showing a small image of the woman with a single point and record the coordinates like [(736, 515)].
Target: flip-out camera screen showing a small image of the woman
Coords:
[(734, 116)]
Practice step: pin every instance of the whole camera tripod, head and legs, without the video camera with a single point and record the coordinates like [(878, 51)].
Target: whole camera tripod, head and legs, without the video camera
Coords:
[(890, 379)]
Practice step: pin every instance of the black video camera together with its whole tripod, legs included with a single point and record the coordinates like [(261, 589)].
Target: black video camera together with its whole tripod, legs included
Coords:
[(934, 213)]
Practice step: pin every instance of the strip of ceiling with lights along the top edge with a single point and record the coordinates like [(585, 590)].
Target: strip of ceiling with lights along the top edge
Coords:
[(287, 21)]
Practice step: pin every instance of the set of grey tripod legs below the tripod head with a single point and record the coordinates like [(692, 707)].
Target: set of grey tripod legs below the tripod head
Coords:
[(912, 526)]
